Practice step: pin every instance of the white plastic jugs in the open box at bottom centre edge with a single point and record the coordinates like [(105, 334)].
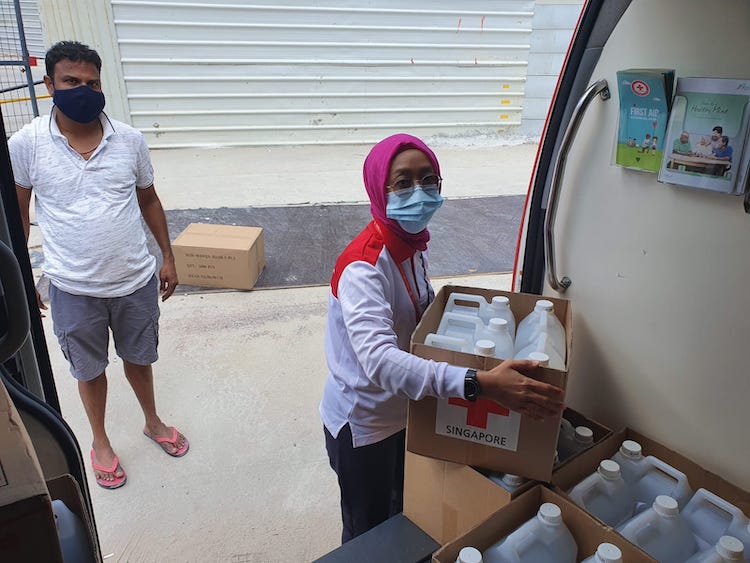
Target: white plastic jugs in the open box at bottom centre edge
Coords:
[(544, 537)]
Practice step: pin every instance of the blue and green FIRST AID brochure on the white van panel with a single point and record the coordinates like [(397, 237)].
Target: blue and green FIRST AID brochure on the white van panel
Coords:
[(645, 101)]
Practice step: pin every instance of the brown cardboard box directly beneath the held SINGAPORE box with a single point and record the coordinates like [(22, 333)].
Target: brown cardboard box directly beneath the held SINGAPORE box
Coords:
[(447, 499)]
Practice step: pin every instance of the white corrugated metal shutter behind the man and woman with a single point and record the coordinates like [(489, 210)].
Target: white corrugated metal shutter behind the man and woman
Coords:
[(215, 73)]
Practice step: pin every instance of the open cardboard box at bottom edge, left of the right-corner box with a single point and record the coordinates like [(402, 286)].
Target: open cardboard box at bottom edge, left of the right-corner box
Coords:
[(587, 531)]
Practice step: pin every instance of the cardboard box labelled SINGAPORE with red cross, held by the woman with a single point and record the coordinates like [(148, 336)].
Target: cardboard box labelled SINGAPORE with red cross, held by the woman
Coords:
[(484, 434)]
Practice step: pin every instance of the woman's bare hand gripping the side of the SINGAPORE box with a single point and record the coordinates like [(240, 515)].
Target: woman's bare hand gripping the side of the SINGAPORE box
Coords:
[(507, 385)]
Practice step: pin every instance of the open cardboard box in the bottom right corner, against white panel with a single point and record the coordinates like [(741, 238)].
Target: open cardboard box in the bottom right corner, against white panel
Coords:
[(586, 463)]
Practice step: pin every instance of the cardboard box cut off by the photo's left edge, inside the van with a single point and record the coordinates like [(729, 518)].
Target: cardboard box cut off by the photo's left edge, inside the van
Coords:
[(27, 524)]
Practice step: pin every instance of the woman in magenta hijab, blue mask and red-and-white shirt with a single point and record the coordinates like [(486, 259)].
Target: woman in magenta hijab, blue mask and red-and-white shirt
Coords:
[(379, 290)]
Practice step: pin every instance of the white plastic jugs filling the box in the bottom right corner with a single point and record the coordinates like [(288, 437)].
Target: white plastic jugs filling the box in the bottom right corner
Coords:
[(652, 505)]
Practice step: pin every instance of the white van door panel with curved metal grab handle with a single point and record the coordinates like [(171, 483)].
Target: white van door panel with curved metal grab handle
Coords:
[(657, 272)]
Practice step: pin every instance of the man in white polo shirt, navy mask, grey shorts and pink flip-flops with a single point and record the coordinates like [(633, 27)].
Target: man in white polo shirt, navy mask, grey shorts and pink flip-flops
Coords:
[(93, 181)]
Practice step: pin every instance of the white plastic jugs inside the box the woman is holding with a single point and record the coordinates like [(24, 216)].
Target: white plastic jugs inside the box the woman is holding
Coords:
[(472, 324)]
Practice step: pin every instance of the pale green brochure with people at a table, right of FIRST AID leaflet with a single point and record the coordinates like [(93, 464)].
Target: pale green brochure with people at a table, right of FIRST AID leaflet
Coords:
[(707, 136)]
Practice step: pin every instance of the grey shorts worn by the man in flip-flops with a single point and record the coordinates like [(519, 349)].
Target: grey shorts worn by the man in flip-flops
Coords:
[(82, 326)]
